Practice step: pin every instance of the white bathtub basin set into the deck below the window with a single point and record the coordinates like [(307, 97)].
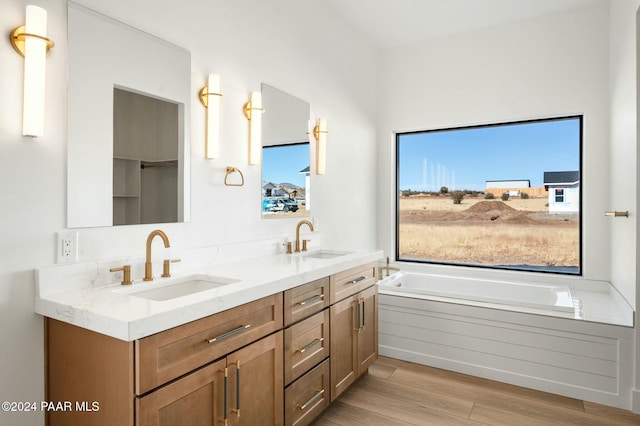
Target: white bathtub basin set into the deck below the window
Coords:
[(511, 294)]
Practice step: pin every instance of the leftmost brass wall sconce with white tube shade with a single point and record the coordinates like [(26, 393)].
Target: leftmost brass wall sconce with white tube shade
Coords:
[(30, 40)]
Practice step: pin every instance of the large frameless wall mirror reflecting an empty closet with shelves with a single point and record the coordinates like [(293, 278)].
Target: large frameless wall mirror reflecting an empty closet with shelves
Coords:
[(128, 146)]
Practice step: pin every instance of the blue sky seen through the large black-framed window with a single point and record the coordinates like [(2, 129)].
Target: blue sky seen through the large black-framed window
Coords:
[(465, 158)]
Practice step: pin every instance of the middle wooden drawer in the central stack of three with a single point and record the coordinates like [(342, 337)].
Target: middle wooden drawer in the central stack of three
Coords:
[(305, 345)]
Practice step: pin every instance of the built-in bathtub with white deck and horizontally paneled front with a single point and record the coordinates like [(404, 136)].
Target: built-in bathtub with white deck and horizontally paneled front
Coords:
[(544, 337)]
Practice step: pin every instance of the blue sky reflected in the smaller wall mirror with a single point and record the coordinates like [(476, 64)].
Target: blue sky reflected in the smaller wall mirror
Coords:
[(283, 163)]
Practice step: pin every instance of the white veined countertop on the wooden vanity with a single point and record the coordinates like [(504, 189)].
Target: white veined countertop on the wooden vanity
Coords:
[(75, 294)]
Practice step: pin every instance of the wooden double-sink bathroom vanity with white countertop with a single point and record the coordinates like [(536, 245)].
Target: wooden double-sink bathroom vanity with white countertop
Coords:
[(276, 348)]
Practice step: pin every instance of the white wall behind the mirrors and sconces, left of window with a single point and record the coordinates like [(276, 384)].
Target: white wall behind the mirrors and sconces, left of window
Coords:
[(301, 47)]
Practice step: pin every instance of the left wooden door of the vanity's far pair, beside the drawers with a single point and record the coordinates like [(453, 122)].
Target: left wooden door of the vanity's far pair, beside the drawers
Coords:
[(344, 345)]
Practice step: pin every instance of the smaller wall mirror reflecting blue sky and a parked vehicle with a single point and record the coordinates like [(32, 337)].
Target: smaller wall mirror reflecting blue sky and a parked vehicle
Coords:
[(286, 190)]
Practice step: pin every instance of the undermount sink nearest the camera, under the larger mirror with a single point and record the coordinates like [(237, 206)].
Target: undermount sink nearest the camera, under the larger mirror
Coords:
[(158, 291)]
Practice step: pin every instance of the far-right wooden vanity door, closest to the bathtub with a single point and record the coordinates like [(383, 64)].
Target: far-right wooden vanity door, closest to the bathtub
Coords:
[(368, 332)]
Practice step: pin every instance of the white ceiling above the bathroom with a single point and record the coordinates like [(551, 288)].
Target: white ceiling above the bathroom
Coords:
[(392, 23)]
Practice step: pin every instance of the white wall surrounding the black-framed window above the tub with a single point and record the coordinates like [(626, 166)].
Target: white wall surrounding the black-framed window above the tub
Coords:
[(548, 66)]
